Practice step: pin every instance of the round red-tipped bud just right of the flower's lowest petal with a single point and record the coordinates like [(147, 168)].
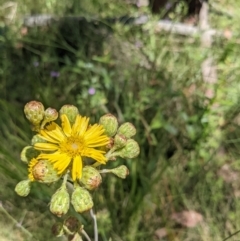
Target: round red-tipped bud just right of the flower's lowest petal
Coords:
[(91, 178)]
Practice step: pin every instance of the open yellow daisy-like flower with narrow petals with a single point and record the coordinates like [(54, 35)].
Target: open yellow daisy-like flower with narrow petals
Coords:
[(67, 145)]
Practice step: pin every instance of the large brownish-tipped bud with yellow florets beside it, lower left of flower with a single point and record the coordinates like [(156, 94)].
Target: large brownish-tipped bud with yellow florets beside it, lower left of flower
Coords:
[(44, 172)]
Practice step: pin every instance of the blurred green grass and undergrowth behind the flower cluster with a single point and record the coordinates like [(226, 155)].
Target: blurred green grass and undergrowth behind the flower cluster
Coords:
[(185, 185)]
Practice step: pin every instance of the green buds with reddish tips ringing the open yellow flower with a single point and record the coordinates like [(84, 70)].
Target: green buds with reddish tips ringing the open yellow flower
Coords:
[(40, 170)]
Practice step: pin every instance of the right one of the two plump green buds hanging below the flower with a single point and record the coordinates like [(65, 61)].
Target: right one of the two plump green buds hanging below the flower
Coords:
[(81, 200)]
